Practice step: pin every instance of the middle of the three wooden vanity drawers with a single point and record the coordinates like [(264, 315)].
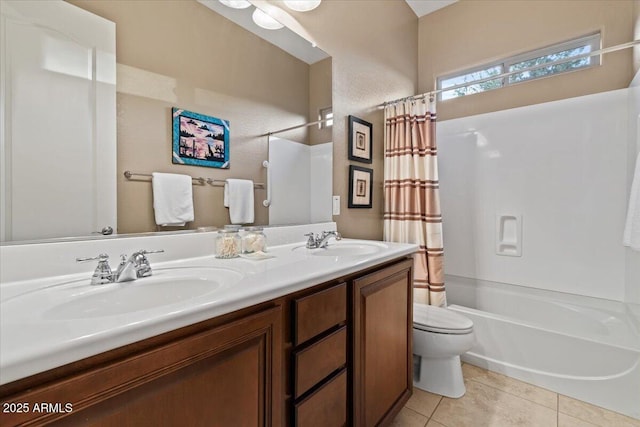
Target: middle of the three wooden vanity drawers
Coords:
[(316, 362)]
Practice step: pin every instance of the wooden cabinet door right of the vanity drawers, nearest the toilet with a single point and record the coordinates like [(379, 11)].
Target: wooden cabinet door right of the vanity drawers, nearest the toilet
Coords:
[(382, 347)]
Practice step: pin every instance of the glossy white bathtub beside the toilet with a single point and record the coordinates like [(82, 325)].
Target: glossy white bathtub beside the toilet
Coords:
[(582, 347)]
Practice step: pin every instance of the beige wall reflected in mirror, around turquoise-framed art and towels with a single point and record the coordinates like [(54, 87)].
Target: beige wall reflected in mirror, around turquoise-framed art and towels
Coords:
[(181, 54)]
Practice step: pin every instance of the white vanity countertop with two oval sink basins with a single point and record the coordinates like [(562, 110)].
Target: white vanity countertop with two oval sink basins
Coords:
[(49, 321)]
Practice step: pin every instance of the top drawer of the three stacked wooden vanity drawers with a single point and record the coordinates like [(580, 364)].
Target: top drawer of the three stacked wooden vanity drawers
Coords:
[(318, 312)]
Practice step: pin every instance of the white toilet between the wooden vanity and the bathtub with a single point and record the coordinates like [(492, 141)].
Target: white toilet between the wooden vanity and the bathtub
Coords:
[(440, 336)]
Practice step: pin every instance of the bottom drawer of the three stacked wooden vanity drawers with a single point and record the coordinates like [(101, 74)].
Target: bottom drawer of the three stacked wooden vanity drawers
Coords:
[(327, 407)]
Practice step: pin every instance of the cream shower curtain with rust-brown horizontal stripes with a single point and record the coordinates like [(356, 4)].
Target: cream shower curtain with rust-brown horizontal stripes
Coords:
[(412, 202)]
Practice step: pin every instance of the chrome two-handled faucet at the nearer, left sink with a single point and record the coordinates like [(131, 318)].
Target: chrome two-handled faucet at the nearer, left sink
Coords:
[(132, 268)]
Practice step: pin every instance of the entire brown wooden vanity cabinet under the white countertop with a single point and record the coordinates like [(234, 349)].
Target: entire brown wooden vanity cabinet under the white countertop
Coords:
[(337, 354)]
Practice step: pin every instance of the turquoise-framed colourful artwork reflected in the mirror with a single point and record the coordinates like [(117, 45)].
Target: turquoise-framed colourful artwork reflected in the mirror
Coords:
[(200, 140)]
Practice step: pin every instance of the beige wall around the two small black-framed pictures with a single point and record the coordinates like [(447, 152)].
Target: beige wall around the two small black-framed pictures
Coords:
[(373, 48)]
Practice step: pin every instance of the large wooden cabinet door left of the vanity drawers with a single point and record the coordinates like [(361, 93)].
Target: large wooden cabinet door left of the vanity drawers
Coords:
[(227, 376)]
